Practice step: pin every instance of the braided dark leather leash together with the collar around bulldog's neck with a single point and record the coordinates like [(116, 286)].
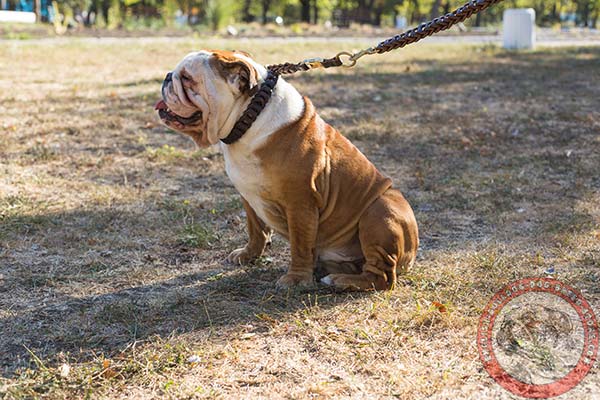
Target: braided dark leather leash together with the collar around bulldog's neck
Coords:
[(260, 99)]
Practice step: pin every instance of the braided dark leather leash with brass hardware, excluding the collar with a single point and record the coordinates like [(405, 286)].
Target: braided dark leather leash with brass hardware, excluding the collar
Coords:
[(411, 36)]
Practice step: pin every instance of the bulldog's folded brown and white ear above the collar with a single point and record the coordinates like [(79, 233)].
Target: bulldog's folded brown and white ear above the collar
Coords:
[(237, 72)]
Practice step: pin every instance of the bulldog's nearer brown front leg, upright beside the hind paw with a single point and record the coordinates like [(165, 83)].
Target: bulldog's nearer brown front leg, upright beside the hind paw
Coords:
[(303, 223)]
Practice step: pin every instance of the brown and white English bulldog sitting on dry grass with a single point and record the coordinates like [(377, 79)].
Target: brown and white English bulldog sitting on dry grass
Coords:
[(296, 174)]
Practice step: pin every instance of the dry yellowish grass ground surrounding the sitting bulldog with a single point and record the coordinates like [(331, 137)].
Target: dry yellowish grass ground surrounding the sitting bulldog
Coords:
[(112, 228)]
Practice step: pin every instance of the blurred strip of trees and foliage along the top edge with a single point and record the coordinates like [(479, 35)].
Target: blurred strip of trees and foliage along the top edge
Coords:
[(215, 14)]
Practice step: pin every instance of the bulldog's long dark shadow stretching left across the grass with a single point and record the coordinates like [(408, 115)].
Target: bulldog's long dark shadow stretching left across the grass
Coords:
[(205, 299)]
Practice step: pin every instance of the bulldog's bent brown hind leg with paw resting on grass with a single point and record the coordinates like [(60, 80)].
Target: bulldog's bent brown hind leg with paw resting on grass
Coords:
[(389, 239)]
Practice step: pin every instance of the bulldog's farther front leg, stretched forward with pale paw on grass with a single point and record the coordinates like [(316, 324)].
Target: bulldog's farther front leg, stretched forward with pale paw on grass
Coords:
[(259, 234)]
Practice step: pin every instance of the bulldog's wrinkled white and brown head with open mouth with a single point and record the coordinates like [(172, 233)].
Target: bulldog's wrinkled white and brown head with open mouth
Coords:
[(207, 92)]
